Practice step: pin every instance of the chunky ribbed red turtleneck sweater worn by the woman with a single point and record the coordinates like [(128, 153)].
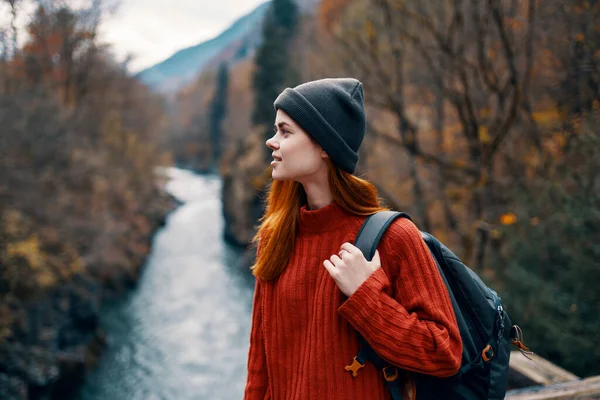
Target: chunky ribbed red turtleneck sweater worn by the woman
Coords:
[(304, 334)]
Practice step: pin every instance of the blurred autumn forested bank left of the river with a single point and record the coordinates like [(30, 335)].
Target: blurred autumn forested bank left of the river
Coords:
[(79, 202)]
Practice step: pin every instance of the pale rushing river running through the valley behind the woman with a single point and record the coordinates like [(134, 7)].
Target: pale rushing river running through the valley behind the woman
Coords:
[(182, 333)]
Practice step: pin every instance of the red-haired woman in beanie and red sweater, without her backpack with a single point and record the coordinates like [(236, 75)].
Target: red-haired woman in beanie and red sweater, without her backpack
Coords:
[(314, 289)]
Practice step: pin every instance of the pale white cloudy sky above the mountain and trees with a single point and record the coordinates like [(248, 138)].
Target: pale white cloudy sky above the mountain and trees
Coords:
[(152, 30)]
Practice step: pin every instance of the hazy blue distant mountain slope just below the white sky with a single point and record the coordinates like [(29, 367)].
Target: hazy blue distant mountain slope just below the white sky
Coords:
[(182, 67)]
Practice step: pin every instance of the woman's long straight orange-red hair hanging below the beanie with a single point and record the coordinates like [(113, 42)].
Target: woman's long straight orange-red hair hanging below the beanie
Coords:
[(278, 227)]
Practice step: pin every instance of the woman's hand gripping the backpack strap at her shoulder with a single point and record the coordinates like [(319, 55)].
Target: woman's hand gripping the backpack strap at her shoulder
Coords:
[(349, 268)]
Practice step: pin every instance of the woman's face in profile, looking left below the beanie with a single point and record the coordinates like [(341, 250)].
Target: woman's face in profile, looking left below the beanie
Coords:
[(296, 156)]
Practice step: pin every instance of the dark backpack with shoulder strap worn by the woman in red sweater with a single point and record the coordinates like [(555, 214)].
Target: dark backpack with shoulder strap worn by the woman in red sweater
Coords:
[(482, 321)]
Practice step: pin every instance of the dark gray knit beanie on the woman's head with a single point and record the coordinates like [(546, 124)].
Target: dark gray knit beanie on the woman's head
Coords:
[(332, 112)]
